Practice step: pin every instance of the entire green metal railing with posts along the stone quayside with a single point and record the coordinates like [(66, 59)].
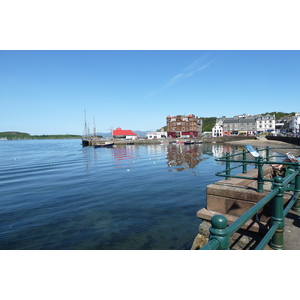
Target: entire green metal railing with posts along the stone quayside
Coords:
[(219, 232)]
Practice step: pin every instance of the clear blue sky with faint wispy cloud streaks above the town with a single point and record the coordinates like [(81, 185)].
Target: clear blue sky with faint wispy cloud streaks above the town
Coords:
[(46, 92)]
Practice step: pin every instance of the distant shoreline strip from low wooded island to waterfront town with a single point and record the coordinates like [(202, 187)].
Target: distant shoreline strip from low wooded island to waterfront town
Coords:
[(191, 126)]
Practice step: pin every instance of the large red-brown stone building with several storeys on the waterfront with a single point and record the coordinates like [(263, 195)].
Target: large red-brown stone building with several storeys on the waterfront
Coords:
[(184, 126)]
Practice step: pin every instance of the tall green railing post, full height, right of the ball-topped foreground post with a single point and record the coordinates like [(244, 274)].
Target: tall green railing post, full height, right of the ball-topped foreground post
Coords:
[(277, 242)]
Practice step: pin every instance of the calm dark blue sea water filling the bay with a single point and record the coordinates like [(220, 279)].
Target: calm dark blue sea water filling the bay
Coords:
[(56, 194)]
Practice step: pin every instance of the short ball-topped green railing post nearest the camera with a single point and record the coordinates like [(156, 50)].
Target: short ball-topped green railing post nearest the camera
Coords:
[(219, 224)]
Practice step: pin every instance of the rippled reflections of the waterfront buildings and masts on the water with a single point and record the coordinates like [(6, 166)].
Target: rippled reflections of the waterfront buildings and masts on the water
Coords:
[(178, 157)]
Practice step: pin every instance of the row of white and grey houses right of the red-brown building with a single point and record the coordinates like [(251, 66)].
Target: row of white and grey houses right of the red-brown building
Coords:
[(258, 124)]
